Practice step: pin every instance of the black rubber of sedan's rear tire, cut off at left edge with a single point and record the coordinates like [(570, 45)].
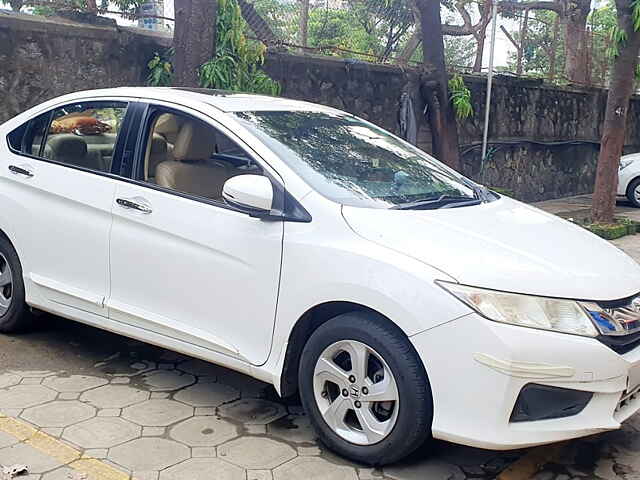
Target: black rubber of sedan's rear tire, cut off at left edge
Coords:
[(17, 317)]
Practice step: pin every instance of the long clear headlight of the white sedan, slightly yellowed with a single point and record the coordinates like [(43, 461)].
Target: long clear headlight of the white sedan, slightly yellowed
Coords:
[(557, 315)]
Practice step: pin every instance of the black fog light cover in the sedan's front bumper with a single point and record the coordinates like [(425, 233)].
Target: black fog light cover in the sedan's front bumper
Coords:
[(541, 402)]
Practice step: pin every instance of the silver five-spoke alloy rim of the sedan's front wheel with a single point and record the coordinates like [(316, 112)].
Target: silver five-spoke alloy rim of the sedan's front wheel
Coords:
[(356, 392)]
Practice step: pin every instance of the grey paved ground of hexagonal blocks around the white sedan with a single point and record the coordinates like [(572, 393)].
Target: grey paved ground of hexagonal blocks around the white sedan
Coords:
[(81, 403)]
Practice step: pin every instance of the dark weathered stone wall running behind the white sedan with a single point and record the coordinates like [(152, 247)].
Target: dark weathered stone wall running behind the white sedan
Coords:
[(544, 140)]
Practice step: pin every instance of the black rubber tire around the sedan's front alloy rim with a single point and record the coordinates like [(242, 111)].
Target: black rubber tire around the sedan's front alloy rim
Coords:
[(415, 413)]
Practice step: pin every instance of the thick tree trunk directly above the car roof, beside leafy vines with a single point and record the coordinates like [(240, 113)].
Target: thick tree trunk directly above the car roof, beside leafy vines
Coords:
[(194, 38)]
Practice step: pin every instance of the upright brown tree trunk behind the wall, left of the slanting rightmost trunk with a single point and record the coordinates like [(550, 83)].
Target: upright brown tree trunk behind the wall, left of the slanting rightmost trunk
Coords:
[(576, 40)]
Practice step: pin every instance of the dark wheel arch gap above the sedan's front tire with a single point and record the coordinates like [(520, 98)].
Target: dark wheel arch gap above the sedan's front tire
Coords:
[(304, 328)]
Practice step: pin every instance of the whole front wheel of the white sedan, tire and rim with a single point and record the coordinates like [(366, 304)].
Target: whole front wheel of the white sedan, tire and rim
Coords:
[(365, 389)]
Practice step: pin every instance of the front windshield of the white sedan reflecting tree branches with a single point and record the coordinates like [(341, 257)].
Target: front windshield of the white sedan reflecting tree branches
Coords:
[(355, 163)]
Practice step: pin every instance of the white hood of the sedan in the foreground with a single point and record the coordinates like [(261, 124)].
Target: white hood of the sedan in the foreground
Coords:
[(504, 245)]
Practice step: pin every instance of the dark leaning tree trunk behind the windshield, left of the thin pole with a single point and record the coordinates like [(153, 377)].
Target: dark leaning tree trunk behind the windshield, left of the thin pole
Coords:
[(444, 129)]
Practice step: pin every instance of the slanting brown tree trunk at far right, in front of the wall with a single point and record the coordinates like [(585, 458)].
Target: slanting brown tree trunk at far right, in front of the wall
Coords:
[(613, 130)]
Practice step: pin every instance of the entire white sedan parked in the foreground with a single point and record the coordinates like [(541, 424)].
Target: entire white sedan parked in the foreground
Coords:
[(313, 250)]
